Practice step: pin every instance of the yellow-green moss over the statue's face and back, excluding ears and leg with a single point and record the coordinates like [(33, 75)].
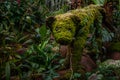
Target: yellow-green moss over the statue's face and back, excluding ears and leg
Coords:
[(64, 28)]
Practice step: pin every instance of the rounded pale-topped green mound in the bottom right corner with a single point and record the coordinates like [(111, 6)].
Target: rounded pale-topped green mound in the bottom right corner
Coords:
[(110, 69)]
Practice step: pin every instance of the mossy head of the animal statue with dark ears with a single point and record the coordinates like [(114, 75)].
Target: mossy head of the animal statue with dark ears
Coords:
[(63, 27)]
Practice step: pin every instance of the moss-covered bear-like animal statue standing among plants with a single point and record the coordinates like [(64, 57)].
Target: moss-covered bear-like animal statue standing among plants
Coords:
[(72, 28)]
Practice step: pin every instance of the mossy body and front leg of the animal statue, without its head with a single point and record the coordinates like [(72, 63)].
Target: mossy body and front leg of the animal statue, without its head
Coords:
[(81, 37)]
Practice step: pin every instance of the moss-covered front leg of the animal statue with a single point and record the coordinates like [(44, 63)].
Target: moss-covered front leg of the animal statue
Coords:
[(77, 52)]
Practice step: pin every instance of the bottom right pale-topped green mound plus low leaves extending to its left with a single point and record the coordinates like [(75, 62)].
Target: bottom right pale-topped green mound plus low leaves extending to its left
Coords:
[(107, 70)]
